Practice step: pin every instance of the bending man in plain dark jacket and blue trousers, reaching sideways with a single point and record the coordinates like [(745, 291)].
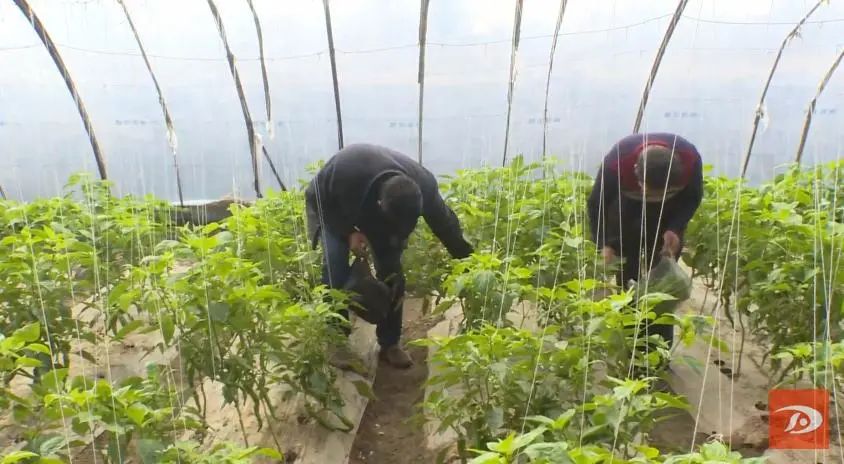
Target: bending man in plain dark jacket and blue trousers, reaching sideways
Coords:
[(371, 196)]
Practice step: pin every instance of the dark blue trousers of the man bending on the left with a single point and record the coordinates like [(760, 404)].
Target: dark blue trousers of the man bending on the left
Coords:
[(387, 260)]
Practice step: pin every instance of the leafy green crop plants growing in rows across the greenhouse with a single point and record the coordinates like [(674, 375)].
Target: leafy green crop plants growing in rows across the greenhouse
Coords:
[(239, 301)]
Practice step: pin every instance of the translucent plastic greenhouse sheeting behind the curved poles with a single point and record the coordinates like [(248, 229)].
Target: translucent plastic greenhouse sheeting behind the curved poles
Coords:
[(707, 88)]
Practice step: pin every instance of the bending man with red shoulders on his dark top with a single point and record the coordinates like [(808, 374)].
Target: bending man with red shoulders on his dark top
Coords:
[(647, 190)]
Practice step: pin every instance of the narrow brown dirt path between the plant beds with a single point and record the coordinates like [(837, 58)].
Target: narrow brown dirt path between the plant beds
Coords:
[(386, 436)]
